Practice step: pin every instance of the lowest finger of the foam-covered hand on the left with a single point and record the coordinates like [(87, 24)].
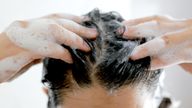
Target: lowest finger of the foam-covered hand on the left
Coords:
[(56, 51)]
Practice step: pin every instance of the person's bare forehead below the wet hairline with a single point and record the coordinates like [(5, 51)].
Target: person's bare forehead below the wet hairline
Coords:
[(97, 97)]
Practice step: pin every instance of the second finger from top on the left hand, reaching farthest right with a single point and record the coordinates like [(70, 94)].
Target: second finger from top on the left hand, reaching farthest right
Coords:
[(77, 28)]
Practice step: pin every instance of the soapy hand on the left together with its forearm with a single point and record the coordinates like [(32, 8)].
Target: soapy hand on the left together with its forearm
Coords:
[(25, 41)]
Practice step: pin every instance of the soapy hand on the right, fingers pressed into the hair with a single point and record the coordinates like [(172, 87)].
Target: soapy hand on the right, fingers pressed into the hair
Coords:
[(172, 43)]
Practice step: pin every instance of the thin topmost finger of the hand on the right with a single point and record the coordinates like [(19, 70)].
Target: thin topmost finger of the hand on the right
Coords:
[(157, 18)]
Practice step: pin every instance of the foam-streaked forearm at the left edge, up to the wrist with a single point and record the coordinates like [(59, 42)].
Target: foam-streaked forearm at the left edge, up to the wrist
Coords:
[(13, 59)]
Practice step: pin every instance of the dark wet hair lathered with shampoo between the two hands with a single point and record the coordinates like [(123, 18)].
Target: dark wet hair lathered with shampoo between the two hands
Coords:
[(108, 62)]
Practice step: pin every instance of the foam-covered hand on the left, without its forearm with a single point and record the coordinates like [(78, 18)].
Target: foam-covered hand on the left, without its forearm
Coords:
[(43, 37)]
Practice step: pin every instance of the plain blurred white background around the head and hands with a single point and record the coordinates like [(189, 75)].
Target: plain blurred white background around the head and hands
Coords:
[(26, 92)]
